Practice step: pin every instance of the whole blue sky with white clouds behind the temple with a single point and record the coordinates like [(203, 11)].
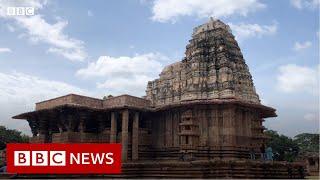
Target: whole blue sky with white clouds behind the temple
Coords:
[(100, 47)]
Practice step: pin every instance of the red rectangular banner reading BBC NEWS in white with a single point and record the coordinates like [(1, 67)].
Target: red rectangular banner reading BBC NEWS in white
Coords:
[(52, 158)]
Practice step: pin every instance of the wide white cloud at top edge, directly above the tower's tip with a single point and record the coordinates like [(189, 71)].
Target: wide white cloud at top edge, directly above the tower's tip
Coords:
[(171, 10)]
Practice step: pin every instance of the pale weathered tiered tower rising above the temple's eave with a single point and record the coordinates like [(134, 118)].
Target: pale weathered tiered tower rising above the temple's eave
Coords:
[(213, 68)]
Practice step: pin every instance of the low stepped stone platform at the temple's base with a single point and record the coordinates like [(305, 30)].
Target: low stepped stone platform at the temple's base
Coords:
[(201, 169)]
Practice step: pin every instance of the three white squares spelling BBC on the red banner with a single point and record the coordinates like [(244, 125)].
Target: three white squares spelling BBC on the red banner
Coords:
[(39, 158)]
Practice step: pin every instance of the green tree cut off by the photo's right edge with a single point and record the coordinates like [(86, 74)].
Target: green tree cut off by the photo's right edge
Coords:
[(307, 142)]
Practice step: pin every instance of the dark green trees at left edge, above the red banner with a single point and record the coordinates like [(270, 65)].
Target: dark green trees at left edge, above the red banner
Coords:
[(11, 136)]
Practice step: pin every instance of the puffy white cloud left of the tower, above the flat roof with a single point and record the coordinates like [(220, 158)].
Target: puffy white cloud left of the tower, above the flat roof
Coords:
[(124, 74)]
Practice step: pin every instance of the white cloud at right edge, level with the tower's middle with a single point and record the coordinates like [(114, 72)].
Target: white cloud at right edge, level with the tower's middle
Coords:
[(294, 78)]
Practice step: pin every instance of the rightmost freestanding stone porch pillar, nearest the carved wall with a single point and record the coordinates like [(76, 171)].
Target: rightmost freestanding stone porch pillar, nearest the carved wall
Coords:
[(135, 137)]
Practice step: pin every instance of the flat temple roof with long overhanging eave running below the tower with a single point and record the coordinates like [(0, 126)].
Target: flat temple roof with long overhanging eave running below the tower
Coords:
[(80, 103)]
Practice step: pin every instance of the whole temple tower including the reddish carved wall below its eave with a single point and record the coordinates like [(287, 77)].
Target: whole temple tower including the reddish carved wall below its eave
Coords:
[(212, 94)]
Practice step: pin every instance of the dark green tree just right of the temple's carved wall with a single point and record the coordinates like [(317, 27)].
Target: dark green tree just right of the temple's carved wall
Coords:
[(284, 148)]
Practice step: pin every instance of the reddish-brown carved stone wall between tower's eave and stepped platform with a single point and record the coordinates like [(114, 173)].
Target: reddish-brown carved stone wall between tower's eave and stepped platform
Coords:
[(217, 130)]
